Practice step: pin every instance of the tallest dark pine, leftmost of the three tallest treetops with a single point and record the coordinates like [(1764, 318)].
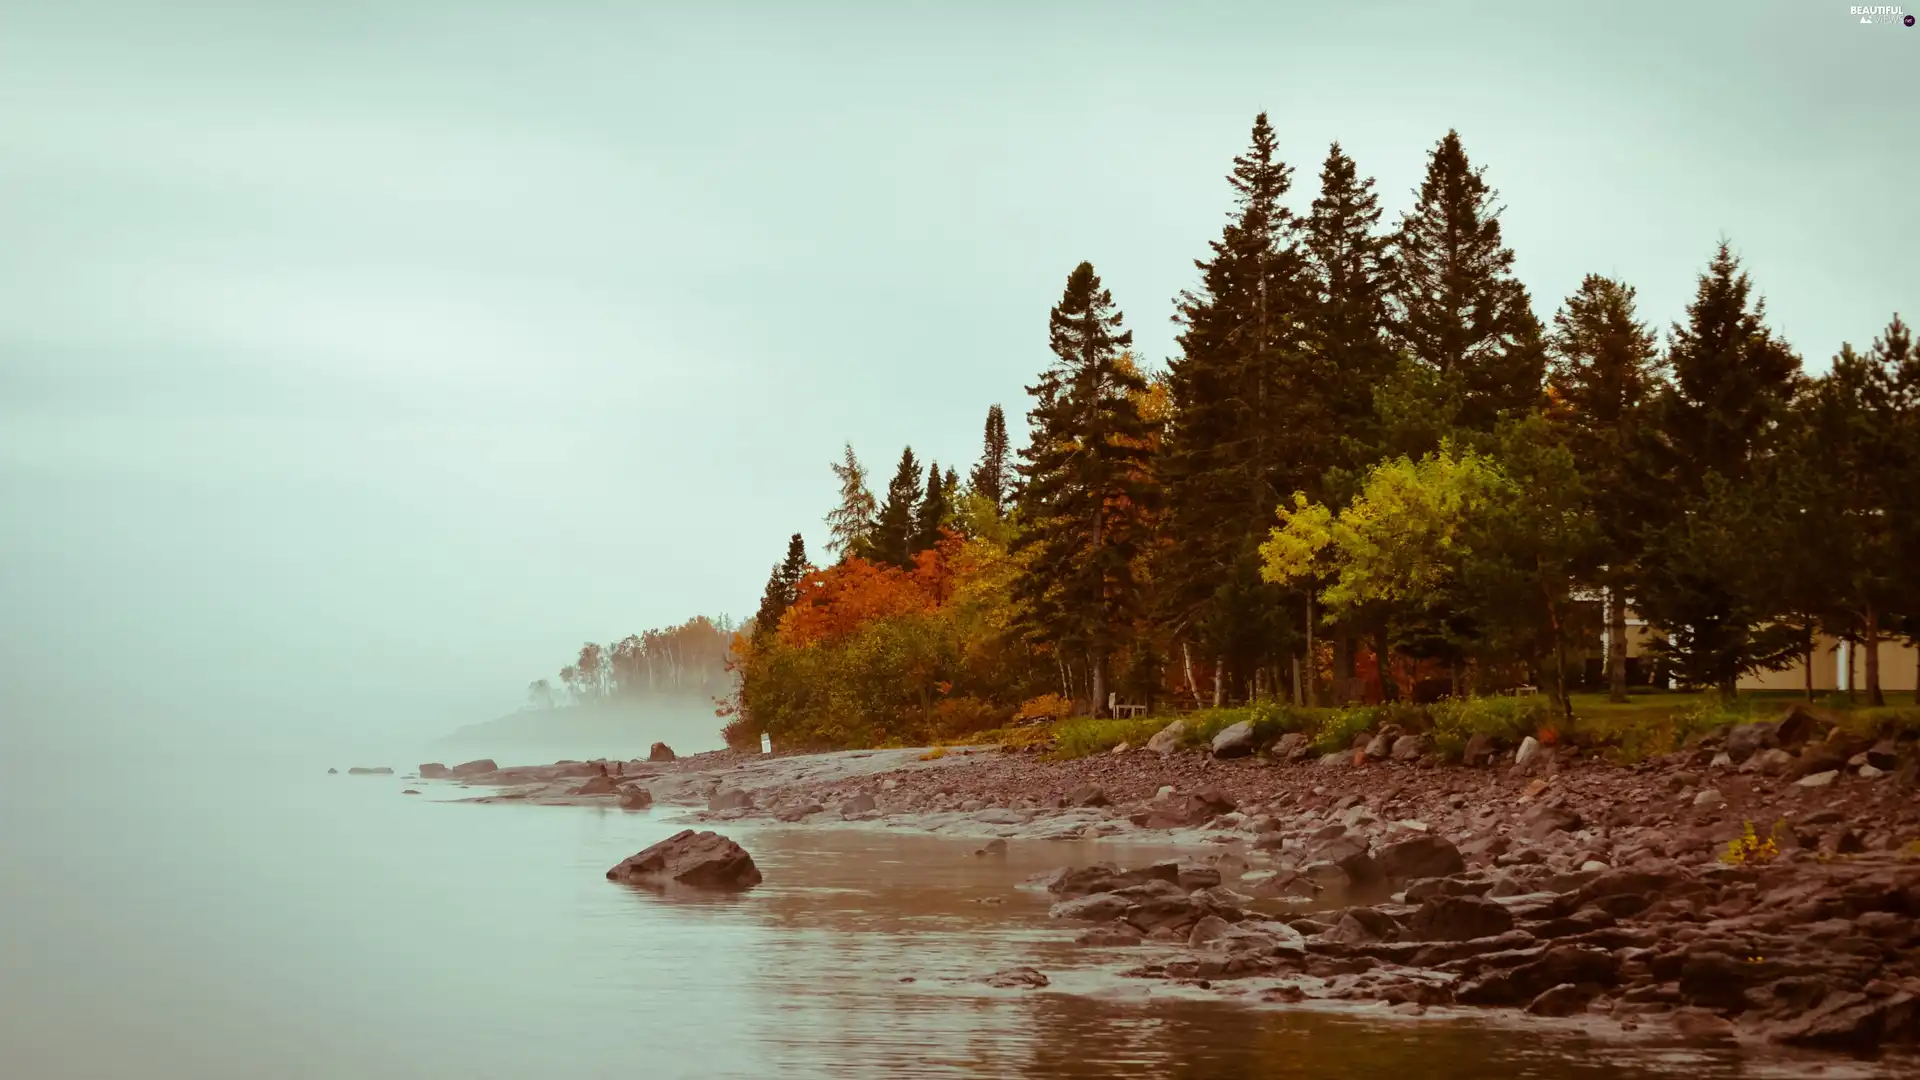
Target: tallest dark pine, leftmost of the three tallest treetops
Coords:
[(1249, 418)]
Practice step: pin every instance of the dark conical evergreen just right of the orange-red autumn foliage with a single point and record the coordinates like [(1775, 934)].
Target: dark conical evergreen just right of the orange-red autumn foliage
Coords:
[(1082, 474)]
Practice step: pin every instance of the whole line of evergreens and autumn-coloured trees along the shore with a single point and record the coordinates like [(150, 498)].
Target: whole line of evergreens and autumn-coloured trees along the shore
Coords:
[(1370, 458)]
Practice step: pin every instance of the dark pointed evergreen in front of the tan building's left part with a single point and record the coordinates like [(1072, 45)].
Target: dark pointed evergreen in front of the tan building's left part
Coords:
[(1704, 577)]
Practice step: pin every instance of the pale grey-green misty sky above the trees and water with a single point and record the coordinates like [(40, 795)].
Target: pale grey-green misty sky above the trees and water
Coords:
[(362, 360)]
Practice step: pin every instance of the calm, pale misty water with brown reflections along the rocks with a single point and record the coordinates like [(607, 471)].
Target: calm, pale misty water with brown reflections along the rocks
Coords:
[(329, 927)]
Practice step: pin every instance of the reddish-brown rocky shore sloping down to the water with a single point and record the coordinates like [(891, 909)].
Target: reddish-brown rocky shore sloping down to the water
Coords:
[(1764, 885)]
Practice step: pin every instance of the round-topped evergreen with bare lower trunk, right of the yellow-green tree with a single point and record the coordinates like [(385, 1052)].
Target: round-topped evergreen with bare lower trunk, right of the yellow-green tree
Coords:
[(1602, 381)]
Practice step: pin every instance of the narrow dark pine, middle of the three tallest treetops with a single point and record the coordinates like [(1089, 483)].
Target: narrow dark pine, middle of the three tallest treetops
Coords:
[(1349, 264)]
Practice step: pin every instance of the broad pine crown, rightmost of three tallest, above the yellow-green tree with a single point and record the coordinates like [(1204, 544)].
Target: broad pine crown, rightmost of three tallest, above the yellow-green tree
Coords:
[(1458, 307)]
